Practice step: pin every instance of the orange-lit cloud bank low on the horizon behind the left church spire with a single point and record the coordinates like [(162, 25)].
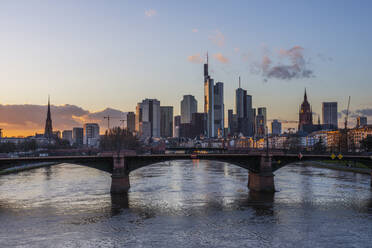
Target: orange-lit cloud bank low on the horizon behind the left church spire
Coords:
[(27, 119)]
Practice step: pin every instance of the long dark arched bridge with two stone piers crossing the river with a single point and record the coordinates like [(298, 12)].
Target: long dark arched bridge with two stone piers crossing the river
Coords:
[(260, 166)]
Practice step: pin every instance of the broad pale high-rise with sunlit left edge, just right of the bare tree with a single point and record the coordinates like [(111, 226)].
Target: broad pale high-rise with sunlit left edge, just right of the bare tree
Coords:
[(148, 118)]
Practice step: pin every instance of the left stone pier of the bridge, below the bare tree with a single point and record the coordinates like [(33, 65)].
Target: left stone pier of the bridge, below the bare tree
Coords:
[(120, 176)]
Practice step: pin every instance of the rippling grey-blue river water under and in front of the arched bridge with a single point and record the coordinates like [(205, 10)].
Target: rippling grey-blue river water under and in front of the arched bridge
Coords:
[(185, 204)]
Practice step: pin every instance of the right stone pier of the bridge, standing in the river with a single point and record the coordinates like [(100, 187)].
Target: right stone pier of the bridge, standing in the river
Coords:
[(264, 180)]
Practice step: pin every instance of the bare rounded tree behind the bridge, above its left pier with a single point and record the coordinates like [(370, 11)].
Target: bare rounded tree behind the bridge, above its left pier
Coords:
[(117, 139)]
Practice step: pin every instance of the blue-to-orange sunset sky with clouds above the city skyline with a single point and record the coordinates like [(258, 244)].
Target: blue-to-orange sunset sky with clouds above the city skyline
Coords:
[(100, 57)]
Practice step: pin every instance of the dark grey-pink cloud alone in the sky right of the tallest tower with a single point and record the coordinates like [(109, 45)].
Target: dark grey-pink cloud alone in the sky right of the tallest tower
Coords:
[(291, 64)]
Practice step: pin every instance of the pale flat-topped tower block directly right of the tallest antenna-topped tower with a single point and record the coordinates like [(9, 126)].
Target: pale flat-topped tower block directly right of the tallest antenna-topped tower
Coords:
[(219, 110)]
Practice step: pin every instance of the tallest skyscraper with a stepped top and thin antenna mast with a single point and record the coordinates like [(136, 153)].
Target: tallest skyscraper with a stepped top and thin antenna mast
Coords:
[(208, 102)]
